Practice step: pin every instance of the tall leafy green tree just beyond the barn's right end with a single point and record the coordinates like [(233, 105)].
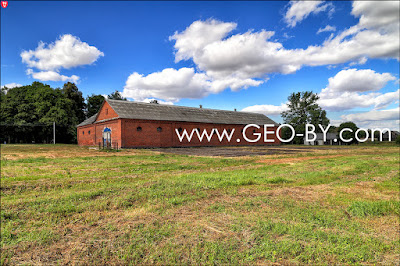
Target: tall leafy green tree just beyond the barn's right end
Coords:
[(303, 109)]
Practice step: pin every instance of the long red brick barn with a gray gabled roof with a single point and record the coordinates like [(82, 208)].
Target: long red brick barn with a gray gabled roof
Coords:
[(132, 124)]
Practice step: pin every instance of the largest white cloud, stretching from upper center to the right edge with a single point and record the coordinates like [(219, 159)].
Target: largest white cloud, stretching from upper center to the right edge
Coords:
[(255, 55)]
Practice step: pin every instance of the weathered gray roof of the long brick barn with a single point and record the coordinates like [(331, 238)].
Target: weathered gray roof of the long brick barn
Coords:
[(164, 112)]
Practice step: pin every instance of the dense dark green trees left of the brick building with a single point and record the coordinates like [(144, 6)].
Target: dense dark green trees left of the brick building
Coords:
[(28, 112)]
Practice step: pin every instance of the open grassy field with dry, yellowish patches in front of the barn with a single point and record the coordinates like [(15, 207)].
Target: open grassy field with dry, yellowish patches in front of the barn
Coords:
[(67, 204)]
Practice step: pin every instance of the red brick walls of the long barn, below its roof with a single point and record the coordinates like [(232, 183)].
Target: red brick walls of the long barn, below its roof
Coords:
[(144, 133)]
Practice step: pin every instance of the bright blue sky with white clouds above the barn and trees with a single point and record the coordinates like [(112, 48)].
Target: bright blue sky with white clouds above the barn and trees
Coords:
[(223, 55)]
